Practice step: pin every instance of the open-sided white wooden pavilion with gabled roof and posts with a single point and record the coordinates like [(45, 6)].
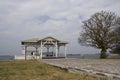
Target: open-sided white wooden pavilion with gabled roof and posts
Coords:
[(47, 42)]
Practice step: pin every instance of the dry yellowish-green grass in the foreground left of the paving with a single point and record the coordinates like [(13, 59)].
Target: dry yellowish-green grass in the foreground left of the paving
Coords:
[(36, 70)]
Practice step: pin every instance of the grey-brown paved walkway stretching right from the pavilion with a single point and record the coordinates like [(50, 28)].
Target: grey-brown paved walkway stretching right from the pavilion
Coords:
[(109, 67)]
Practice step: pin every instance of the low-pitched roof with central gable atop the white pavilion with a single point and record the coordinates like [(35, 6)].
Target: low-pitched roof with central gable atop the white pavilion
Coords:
[(38, 40)]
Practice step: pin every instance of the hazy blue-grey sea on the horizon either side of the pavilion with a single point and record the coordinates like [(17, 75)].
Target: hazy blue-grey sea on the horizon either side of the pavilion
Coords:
[(81, 56)]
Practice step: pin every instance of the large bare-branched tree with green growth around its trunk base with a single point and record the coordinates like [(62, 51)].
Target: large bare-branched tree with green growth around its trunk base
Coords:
[(98, 31)]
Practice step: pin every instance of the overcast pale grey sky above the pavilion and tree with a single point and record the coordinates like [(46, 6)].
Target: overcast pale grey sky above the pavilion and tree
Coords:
[(25, 19)]
